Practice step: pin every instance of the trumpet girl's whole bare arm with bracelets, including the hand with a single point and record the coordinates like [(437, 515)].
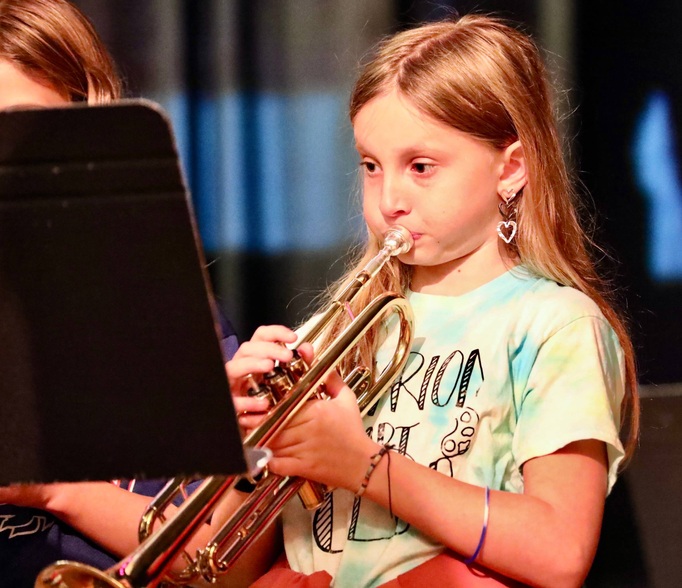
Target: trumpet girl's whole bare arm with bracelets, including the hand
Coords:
[(544, 537)]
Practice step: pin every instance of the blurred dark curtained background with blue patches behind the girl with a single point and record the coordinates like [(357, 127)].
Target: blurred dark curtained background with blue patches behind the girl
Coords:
[(257, 93)]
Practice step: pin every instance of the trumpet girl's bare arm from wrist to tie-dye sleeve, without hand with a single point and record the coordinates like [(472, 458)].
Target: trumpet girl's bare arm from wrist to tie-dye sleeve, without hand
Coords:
[(545, 537)]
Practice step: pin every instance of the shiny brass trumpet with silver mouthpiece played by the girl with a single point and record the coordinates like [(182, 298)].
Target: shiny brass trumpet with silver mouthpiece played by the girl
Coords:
[(288, 387)]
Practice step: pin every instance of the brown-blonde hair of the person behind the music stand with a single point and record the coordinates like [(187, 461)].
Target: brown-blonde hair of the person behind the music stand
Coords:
[(52, 41)]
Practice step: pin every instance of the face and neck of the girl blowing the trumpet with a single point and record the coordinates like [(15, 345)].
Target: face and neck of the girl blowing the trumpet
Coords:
[(440, 184)]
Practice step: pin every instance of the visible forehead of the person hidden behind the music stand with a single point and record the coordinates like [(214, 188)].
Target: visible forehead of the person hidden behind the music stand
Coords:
[(17, 90)]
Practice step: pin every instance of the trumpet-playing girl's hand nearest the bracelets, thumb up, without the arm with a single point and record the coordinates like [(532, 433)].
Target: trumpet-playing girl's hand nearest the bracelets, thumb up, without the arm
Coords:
[(326, 441)]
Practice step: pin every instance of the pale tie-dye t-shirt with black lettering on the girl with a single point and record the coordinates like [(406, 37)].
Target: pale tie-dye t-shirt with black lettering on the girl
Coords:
[(515, 369)]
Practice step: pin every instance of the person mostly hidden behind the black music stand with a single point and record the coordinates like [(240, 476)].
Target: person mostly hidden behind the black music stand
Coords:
[(50, 56)]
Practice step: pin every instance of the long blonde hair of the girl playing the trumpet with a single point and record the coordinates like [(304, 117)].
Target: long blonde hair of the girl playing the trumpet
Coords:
[(484, 77)]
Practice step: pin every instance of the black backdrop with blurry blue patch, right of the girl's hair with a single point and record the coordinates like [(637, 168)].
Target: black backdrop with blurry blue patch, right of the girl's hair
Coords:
[(631, 116)]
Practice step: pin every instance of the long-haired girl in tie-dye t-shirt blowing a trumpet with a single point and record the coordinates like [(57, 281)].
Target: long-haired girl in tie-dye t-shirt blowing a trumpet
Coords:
[(491, 456)]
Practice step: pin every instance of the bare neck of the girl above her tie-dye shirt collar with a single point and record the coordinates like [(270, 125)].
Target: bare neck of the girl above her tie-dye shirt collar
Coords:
[(462, 275)]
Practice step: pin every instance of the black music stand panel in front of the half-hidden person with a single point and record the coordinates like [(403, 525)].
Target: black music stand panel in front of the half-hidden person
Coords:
[(110, 360)]
